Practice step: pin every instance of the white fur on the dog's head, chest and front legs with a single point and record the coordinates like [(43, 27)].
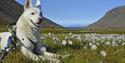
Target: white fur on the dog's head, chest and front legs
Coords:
[(25, 28)]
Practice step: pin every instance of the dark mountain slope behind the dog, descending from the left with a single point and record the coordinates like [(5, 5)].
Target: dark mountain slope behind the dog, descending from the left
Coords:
[(10, 11)]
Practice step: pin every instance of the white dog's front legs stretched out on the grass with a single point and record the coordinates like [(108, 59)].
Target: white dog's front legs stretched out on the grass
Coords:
[(46, 56)]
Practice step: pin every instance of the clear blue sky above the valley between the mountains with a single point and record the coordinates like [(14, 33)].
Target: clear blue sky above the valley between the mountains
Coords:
[(76, 13)]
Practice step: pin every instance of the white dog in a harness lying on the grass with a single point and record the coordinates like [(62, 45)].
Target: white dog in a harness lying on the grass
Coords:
[(27, 31)]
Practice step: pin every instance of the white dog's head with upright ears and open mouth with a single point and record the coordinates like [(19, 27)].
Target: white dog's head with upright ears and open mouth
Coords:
[(33, 13)]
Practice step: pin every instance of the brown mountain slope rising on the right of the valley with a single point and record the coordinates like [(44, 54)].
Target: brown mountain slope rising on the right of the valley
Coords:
[(112, 20)]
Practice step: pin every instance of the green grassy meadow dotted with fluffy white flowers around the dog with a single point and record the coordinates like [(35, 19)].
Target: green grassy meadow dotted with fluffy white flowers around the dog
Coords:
[(84, 46)]
